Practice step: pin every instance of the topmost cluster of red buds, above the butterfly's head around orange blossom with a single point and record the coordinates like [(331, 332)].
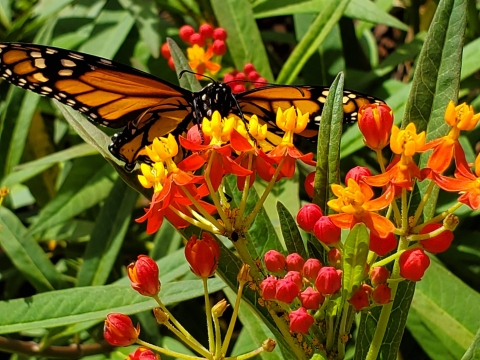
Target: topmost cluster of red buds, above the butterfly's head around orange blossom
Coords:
[(212, 38)]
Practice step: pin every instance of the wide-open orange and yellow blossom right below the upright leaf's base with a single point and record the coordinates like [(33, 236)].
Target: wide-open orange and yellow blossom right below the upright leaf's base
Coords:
[(354, 205)]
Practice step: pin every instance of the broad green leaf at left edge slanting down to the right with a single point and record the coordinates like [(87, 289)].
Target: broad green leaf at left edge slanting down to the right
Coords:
[(25, 253)]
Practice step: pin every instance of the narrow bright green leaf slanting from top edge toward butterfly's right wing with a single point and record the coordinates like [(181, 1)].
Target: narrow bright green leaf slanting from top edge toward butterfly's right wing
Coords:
[(329, 15)]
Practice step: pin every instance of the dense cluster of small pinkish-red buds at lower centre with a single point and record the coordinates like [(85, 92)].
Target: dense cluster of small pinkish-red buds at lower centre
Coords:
[(304, 284)]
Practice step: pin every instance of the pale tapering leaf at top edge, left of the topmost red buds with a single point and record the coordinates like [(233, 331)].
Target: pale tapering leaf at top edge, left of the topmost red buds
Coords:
[(145, 13)]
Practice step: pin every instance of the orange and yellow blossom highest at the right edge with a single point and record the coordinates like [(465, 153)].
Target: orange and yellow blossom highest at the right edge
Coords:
[(459, 117)]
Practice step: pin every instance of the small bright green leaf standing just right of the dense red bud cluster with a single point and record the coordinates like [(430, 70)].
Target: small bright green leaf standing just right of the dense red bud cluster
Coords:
[(354, 258)]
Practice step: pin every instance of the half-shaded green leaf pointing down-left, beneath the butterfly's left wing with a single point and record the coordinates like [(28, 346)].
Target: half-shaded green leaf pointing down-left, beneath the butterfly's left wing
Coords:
[(88, 183)]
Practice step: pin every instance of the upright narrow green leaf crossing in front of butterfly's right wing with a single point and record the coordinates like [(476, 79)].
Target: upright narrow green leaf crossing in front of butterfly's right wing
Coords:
[(328, 152)]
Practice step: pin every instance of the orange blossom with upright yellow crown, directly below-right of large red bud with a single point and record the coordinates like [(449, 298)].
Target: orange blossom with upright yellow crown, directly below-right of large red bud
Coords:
[(405, 143)]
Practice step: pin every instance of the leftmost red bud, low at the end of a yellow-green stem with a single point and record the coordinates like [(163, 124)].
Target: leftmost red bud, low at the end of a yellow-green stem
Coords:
[(118, 330)]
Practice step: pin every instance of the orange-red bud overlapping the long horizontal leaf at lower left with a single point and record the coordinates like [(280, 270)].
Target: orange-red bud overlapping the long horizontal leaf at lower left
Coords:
[(143, 275)]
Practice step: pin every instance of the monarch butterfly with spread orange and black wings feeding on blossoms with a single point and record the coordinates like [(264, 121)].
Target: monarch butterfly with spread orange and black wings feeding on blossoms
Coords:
[(115, 95)]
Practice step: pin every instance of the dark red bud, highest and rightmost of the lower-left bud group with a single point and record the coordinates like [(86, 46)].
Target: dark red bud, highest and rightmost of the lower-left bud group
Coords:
[(202, 255)]
